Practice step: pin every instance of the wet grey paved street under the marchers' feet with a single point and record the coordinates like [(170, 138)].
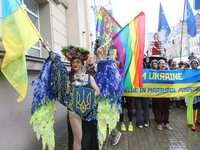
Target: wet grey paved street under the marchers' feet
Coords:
[(181, 138)]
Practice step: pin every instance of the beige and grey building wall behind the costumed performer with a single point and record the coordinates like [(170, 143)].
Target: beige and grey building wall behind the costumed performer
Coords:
[(61, 22)]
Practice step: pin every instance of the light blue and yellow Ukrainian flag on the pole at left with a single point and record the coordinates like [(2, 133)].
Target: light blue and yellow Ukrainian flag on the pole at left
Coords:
[(18, 36)]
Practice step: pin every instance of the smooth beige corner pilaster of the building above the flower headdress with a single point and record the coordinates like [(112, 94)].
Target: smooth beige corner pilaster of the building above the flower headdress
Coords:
[(78, 19)]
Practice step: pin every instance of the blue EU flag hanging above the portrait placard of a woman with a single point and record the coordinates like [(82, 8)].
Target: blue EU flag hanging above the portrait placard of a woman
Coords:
[(163, 24)]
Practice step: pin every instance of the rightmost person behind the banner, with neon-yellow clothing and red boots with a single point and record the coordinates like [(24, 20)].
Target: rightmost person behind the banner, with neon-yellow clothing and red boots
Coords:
[(193, 103)]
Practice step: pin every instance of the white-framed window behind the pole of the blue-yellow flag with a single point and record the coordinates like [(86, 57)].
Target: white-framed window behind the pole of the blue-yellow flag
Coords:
[(31, 9)]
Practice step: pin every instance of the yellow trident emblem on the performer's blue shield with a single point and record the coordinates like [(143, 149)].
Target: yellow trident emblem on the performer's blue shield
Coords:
[(84, 105)]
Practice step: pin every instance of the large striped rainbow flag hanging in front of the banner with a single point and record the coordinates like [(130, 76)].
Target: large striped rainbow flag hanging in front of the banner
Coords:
[(129, 42)]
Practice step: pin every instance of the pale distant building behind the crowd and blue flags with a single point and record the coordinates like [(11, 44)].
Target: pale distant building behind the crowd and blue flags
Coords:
[(189, 44)]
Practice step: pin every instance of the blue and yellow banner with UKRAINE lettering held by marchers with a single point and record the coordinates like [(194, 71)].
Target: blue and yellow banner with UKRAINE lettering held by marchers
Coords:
[(167, 83)]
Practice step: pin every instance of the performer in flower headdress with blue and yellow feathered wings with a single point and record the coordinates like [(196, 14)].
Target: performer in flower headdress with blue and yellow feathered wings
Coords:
[(55, 83)]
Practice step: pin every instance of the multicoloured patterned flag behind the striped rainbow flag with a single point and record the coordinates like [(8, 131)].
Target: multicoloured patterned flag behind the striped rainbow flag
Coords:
[(108, 27)]
